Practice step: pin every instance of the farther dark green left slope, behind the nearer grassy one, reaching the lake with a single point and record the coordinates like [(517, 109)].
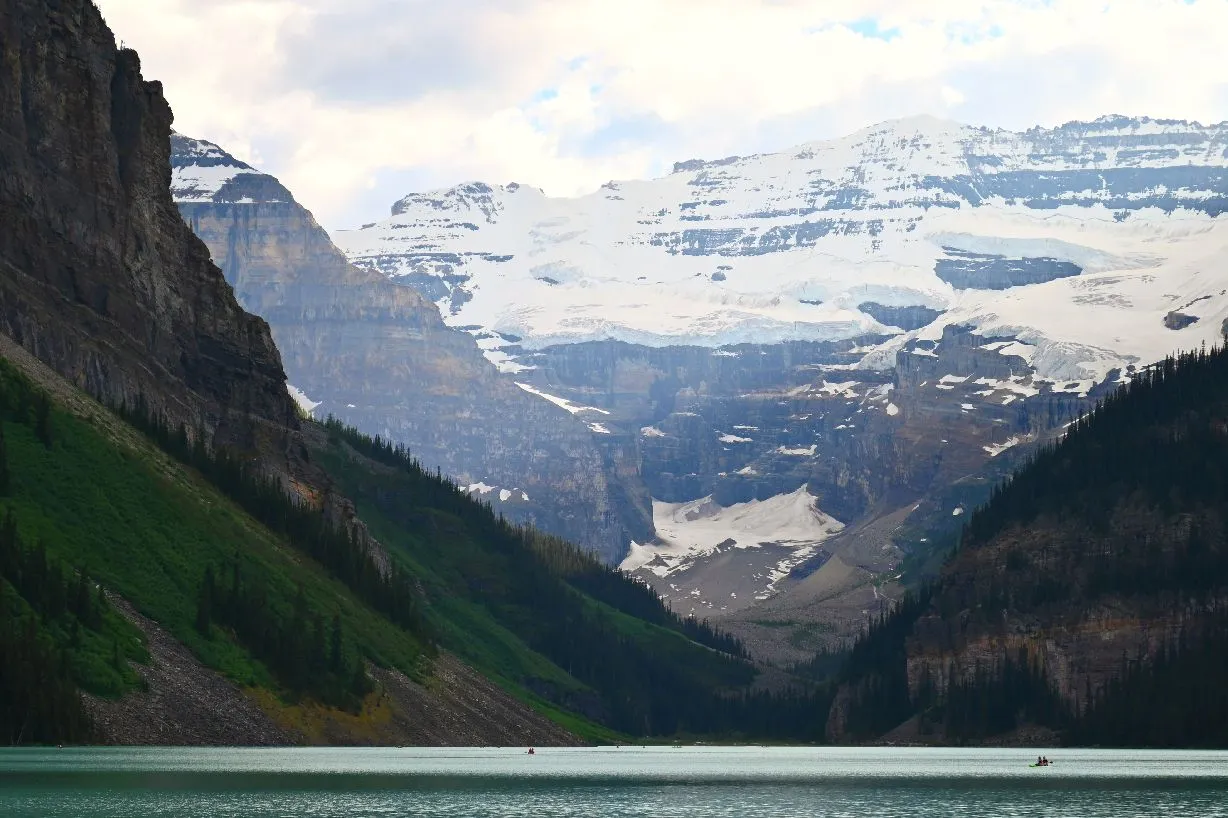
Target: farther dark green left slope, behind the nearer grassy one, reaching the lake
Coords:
[(538, 616)]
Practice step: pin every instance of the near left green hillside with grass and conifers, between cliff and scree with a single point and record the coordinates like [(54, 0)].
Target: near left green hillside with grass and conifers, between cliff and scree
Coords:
[(90, 510)]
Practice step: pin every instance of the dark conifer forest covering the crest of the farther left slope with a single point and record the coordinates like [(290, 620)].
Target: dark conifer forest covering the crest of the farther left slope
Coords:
[(648, 675)]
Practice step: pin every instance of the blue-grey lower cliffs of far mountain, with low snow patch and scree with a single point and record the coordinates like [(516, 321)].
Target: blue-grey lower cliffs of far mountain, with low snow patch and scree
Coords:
[(744, 426)]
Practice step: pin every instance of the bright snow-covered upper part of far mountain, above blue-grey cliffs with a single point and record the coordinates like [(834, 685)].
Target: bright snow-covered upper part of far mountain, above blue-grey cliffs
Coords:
[(825, 241)]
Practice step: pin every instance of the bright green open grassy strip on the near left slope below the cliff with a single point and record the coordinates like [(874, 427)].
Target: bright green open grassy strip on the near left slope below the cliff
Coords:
[(147, 528)]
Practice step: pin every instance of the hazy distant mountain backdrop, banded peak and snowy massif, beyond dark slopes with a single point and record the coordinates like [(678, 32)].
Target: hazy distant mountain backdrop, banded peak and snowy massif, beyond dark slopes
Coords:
[(967, 309)]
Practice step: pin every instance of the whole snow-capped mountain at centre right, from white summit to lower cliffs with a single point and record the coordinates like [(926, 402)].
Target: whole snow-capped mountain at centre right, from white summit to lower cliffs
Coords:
[(879, 319)]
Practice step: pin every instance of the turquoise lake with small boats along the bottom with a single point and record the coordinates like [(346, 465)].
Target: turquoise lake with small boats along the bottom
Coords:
[(665, 782)]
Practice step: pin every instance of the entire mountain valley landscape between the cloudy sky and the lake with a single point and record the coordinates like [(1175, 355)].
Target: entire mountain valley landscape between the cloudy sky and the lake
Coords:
[(914, 435)]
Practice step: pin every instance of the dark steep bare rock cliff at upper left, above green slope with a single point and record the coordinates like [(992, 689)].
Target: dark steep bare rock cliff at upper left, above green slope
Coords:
[(99, 275)]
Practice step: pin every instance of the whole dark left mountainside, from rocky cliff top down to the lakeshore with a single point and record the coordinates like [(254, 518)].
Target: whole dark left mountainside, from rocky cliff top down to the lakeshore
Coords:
[(165, 507)]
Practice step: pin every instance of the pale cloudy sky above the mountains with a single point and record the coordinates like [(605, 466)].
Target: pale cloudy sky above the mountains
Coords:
[(354, 104)]
